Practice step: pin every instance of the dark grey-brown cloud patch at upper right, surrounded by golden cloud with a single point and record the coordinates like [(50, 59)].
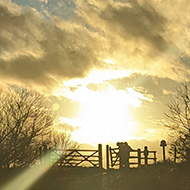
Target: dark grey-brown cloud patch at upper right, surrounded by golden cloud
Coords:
[(140, 21)]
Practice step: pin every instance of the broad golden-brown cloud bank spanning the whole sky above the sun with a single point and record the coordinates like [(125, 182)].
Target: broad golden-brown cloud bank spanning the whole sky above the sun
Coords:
[(139, 35)]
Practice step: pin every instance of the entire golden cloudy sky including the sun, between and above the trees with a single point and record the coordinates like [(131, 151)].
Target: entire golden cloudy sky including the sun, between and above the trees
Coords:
[(109, 67)]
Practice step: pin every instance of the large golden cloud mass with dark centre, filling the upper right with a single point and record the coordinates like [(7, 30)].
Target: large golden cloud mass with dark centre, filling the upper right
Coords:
[(143, 36)]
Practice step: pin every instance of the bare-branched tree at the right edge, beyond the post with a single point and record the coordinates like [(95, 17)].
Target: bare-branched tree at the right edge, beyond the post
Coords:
[(178, 121)]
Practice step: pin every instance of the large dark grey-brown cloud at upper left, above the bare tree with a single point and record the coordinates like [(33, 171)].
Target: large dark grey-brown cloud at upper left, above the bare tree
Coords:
[(35, 49)]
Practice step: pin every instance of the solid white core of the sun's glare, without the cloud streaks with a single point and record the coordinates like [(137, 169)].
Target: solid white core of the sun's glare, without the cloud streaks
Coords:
[(105, 117)]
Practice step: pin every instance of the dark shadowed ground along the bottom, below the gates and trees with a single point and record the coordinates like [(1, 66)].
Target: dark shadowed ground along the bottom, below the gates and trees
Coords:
[(158, 177)]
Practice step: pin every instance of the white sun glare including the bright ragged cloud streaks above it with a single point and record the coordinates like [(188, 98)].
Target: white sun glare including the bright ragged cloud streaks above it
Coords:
[(104, 113)]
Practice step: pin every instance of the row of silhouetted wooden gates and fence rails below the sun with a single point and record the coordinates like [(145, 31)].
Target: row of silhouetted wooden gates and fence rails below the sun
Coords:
[(93, 158)]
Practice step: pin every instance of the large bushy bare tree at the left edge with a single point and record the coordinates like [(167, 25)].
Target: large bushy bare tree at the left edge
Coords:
[(25, 123)]
